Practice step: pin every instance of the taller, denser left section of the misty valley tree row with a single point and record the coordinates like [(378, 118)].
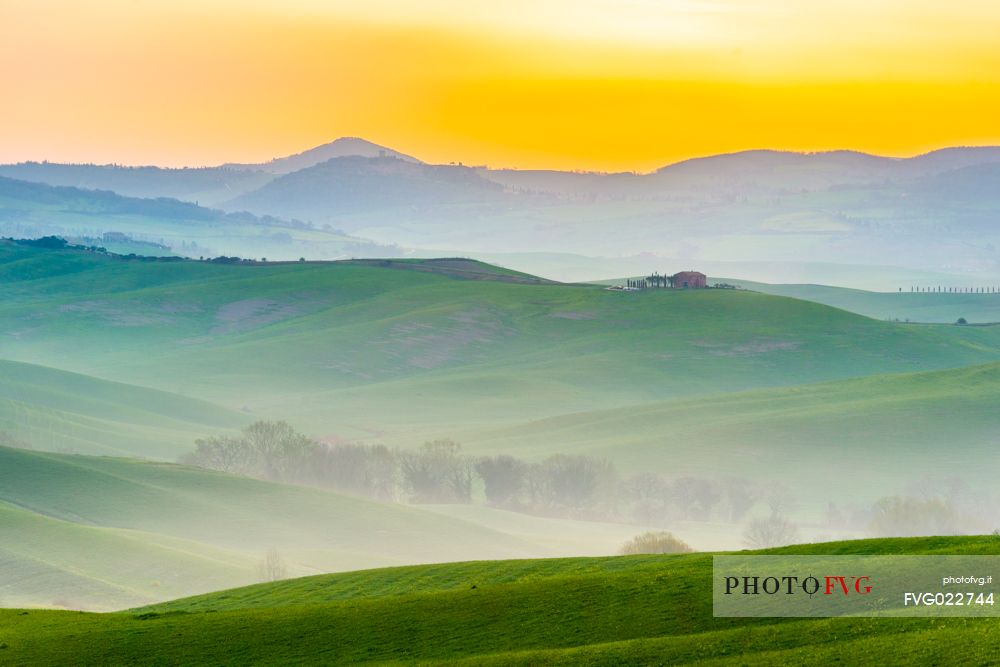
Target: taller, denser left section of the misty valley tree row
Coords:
[(437, 472)]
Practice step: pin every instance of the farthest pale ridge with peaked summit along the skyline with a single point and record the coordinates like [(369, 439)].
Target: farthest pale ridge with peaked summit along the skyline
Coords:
[(762, 170)]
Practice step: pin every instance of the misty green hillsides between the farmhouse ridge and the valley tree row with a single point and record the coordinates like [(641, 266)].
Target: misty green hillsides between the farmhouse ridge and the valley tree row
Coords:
[(710, 383)]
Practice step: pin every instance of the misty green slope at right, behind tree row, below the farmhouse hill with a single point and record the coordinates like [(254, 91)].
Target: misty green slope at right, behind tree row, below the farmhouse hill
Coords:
[(880, 432)]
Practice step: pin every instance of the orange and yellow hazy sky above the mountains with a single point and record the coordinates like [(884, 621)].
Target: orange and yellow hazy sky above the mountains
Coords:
[(590, 84)]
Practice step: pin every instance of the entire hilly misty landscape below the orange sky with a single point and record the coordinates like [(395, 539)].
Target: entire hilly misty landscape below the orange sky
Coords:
[(381, 410)]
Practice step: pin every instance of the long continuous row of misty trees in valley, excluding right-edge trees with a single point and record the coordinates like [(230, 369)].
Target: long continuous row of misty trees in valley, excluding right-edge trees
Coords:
[(439, 472)]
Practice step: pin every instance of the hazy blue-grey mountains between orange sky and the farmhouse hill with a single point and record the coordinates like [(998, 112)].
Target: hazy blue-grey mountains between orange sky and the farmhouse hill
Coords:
[(935, 213)]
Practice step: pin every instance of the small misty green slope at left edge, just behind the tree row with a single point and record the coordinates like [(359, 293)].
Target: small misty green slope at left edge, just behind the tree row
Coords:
[(57, 410)]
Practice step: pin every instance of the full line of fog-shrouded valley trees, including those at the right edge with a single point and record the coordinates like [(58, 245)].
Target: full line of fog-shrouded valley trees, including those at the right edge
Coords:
[(568, 485)]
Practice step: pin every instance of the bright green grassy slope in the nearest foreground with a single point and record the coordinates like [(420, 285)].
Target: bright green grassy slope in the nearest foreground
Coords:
[(627, 610)]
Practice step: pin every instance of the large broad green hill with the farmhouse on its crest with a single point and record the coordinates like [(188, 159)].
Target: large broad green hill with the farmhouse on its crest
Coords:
[(361, 350)]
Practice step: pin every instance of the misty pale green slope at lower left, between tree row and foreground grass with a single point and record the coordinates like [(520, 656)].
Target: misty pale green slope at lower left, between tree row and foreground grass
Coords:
[(105, 532)]
